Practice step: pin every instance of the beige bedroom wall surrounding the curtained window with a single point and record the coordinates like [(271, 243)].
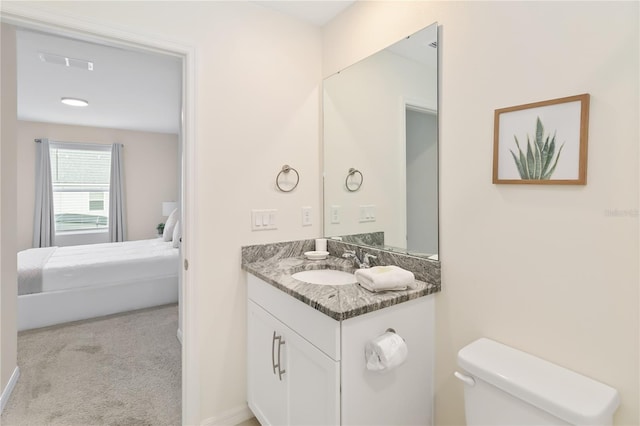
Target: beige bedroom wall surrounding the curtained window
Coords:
[(150, 172)]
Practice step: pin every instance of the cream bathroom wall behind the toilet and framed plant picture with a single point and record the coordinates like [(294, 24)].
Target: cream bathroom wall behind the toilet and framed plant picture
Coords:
[(548, 270)]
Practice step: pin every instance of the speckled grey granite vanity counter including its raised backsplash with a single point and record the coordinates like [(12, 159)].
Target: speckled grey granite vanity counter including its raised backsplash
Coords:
[(275, 263)]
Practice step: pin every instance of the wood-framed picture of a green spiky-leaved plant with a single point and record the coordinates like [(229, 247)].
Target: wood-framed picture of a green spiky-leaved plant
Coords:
[(542, 142)]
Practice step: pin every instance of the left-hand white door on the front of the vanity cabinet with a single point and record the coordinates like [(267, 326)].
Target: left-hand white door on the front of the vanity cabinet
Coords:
[(267, 392)]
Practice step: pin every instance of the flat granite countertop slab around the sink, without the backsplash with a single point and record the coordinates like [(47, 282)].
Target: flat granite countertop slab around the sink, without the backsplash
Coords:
[(340, 302)]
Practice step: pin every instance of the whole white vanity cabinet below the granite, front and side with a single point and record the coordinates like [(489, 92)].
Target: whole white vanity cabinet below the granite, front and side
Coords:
[(306, 368)]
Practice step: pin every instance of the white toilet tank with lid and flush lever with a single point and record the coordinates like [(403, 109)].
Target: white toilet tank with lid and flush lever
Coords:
[(504, 386)]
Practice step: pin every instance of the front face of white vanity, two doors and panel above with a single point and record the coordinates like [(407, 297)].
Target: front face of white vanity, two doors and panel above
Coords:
[(290, 381)]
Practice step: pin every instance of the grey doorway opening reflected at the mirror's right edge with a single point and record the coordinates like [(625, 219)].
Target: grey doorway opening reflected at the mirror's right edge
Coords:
[(422, 180)]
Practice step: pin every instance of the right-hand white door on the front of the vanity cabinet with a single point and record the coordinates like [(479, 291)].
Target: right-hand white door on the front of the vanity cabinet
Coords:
[(314, 384)]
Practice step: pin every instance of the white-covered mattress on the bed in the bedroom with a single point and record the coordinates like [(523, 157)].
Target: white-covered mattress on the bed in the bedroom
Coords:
[(102, 264)]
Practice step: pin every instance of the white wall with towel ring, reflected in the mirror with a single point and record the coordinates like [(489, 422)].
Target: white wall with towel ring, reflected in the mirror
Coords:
[(364, 121)]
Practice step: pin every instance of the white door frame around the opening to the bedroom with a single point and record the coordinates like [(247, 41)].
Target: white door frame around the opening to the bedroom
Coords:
[(22, 16)]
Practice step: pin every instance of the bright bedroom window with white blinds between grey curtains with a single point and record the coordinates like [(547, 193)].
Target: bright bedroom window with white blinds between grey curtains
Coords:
[(80, 177)]
